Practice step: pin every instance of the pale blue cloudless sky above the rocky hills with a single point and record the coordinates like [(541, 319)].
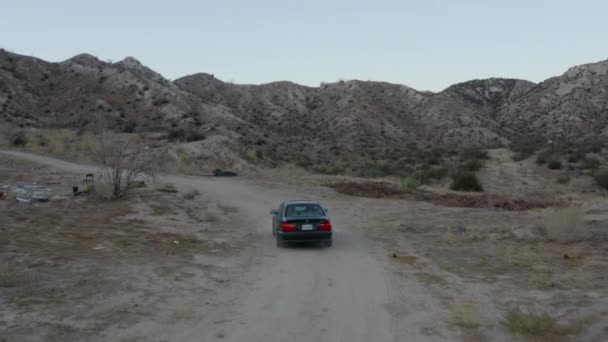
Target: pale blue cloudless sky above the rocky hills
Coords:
[(427, 45)]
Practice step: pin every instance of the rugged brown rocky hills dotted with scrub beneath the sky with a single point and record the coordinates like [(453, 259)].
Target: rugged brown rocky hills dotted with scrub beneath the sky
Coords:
[(283, 121)]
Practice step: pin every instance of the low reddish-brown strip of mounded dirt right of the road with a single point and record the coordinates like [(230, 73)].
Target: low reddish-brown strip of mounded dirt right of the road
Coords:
[(387, 190)]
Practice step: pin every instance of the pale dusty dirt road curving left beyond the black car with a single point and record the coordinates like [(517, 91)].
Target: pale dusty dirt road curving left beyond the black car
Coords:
[(292, 294)]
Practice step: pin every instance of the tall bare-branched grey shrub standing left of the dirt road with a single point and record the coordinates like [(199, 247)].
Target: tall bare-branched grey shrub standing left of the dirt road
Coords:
[(124, 161)]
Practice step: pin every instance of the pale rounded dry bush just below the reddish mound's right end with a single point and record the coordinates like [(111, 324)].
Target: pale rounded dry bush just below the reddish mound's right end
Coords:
[(565, 225)]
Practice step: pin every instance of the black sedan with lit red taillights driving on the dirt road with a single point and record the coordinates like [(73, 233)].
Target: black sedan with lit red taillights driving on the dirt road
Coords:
[(301, 221)]
